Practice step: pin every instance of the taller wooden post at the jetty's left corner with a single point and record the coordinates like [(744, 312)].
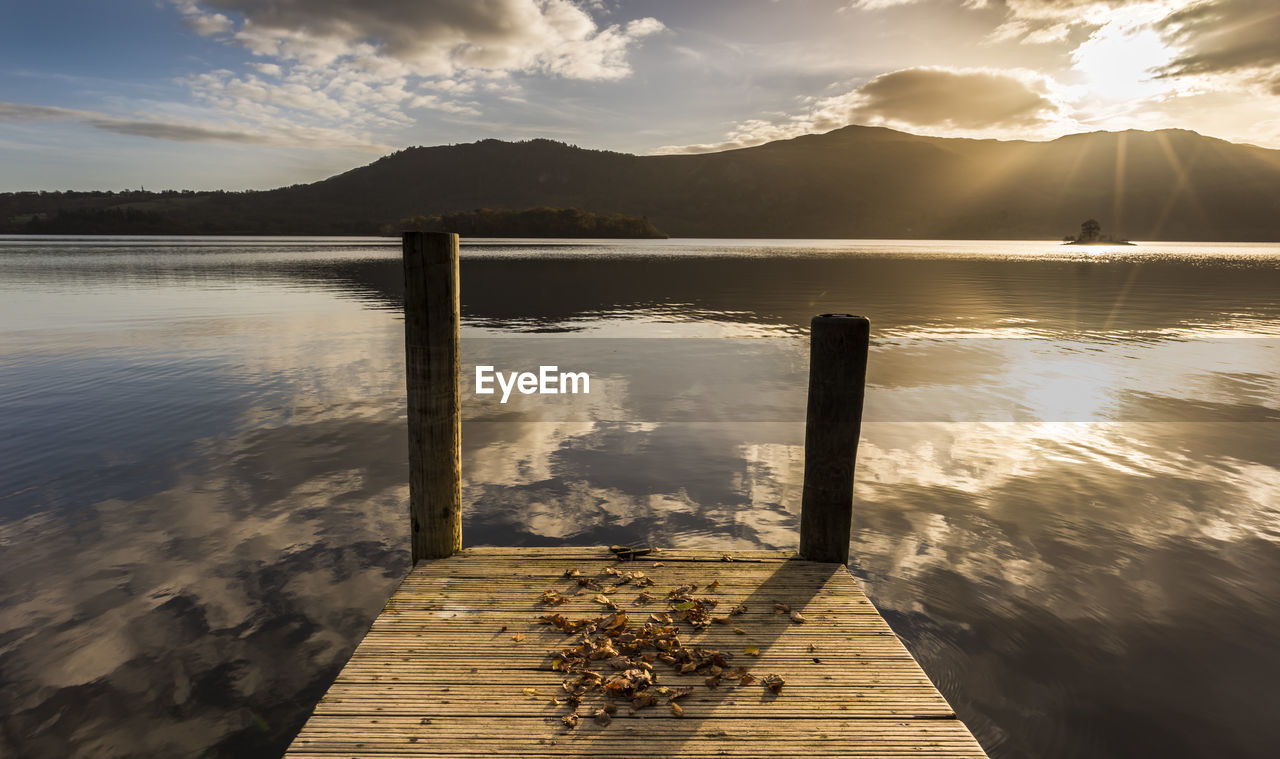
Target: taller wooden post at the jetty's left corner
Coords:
[(432, 317)]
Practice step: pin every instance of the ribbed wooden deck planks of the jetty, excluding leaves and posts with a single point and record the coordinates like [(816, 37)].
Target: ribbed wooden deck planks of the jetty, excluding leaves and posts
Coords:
[(441, 675)]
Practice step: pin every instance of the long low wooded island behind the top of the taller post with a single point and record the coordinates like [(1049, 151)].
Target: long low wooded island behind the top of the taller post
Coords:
[(534, 223)]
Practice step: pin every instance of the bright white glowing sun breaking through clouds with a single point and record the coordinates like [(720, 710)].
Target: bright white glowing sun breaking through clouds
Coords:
[(1119, 61)]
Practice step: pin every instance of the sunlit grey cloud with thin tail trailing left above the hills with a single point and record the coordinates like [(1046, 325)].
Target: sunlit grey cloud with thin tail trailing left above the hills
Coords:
[(925, 100)]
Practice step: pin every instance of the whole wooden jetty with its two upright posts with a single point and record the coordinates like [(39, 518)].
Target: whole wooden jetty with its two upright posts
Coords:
[(463, 661)]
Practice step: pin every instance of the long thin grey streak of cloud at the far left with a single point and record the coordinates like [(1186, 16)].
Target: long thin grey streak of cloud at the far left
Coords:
[(284, 136)]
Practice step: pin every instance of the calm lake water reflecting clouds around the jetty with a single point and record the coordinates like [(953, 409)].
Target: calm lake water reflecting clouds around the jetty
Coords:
[(1068, 493)]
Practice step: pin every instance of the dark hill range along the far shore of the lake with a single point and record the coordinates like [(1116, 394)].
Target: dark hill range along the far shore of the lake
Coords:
[(853, 182)]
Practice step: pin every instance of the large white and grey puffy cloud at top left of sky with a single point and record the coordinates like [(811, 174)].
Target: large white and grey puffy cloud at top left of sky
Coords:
[(377, 66)]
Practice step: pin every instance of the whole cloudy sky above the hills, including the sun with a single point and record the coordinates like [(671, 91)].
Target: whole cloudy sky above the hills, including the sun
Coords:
[(257, 94)]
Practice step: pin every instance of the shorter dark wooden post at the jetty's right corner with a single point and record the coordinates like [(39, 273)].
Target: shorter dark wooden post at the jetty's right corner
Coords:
[(838, 378)]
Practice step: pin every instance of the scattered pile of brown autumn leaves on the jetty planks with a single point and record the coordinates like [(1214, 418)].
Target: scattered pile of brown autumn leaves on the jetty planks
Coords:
[(620, 657)]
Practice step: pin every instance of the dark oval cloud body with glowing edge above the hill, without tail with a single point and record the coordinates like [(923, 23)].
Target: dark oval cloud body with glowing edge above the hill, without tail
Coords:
[(954, 99)]
